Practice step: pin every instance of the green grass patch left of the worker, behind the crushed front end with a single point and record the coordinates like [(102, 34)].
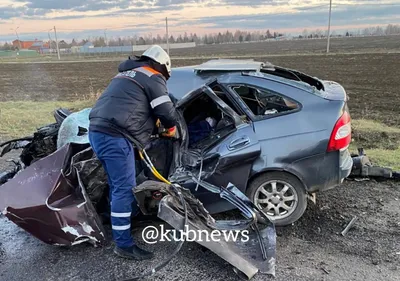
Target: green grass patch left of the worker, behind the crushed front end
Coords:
[(21, 118)]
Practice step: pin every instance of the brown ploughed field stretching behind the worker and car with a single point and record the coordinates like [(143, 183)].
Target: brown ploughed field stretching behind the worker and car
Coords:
[(370, 79)]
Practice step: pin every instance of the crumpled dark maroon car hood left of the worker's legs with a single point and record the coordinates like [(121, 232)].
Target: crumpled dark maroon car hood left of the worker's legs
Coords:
[(50, 204)]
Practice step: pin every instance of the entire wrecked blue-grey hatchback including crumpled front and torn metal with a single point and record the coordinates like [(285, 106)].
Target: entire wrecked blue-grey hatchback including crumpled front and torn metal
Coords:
[(251, 136)]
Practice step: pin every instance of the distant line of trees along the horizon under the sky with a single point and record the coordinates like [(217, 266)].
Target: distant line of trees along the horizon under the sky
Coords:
[(239, 36)]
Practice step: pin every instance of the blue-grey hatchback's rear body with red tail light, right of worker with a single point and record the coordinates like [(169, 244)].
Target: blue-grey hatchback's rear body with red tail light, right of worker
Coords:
[(277, 134)]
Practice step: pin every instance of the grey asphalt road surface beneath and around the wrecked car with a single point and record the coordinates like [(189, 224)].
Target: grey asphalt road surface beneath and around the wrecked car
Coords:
[(312, 249)]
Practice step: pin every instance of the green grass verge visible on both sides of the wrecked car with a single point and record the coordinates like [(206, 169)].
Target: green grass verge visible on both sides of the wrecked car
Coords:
[(18, 119)]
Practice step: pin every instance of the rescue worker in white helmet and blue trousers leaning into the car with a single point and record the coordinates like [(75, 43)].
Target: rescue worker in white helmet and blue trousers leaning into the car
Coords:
[(134, 101)]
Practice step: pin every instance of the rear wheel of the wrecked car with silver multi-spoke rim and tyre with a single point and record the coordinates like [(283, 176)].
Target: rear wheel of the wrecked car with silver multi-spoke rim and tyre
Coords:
[(280, 195)]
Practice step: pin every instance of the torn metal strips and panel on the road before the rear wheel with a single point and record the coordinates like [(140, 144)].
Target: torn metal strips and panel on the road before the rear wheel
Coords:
[(257, 255)]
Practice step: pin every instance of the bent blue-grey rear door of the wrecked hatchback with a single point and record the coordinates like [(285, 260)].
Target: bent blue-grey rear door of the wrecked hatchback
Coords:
[(233, 155)]
